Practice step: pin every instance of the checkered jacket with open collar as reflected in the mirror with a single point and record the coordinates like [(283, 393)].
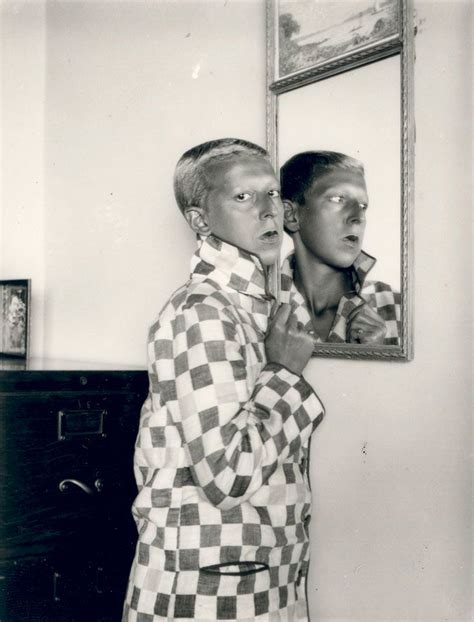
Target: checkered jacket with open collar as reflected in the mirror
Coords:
[(379, 296)]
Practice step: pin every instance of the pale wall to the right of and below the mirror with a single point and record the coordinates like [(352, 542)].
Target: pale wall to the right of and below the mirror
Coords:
[(391, 466)]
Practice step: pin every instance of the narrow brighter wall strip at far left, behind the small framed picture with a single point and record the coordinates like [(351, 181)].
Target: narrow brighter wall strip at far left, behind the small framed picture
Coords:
[(22, 83)]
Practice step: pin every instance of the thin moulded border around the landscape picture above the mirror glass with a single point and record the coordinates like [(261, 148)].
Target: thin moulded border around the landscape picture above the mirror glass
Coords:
[(371, 52)]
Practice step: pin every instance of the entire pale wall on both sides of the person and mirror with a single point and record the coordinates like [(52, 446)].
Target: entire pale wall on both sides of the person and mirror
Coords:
[(129, 86)]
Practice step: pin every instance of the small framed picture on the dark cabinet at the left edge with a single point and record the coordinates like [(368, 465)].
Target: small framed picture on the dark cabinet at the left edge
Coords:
[(14, 317)]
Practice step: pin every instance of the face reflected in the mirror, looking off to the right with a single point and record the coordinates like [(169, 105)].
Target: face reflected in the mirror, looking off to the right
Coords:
[(332, 220)]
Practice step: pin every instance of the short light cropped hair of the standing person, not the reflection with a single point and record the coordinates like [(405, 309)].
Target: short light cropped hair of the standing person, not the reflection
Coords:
[(191, 183)]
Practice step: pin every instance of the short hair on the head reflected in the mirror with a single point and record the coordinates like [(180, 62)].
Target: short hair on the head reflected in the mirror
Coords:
[(299, 173)]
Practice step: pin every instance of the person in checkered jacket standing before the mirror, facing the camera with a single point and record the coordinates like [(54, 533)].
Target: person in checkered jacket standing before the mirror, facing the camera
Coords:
[(221, 456)]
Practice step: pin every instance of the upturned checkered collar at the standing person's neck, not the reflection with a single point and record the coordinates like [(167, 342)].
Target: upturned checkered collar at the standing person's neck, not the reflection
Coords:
[(229, 266)]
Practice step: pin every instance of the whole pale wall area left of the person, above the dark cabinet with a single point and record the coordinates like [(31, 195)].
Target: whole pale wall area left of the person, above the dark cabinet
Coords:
[(117, 91)]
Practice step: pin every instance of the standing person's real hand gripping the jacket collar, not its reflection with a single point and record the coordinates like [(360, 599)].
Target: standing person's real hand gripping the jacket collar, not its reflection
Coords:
[(287, 343)]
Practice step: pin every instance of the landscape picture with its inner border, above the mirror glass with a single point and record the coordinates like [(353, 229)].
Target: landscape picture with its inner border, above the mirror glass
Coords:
[(317, 38)]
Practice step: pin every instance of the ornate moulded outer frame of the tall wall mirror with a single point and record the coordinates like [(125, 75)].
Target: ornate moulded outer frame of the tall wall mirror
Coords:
[(402, 45)]
